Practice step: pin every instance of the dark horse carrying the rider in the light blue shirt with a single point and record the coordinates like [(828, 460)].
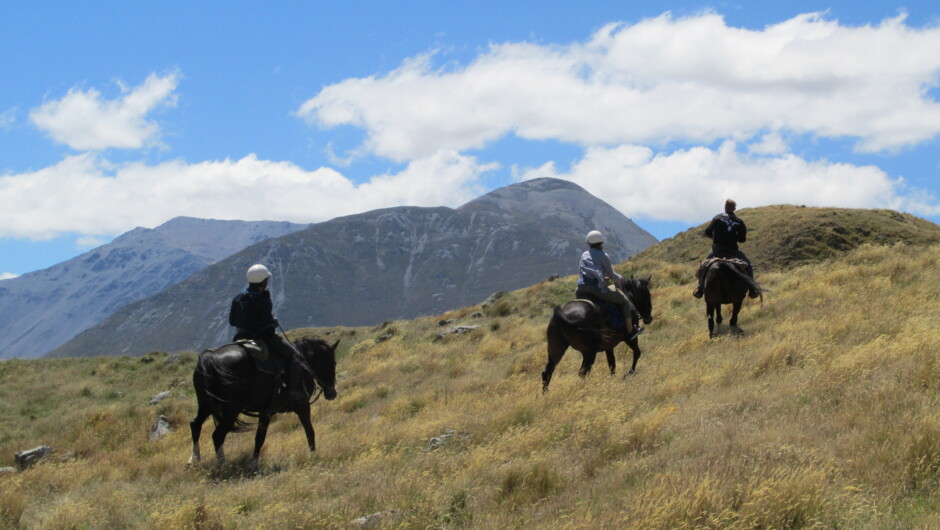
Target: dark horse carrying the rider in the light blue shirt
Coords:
[(581, 325)]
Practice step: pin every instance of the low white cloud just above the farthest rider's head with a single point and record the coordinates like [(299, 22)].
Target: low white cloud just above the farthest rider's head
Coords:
[(691, 185)]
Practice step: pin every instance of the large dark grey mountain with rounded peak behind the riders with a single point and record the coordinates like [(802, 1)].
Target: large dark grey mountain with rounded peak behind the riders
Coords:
[(387, 264)]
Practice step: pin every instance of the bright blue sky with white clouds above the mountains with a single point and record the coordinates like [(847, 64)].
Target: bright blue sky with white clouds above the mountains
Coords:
[(122, 114)]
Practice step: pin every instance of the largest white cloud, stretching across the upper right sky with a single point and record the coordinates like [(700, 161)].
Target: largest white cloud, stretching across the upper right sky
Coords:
[(692, 79)]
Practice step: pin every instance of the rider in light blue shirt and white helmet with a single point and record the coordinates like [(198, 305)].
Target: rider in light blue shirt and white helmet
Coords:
[(596, 270)]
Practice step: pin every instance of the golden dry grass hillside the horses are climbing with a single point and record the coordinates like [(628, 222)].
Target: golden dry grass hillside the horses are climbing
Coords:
[(824, 414)]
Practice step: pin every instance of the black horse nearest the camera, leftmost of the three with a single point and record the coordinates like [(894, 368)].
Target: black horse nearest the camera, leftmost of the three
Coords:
[(228, 383)]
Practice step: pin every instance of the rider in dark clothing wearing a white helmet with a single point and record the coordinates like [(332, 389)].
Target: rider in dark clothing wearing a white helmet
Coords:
[(252, 316)]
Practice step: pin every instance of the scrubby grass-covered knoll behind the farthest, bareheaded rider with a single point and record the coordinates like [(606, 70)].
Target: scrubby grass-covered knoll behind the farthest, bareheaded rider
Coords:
[(783, 236)]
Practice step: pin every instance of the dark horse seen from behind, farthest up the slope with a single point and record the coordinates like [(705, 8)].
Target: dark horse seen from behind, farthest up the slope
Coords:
[(725, 283)]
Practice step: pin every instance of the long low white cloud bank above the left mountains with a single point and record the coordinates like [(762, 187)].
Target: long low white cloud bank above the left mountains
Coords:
[(88, 195)]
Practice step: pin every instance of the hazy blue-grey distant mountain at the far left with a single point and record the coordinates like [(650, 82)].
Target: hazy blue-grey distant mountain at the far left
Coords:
[(41, 310)]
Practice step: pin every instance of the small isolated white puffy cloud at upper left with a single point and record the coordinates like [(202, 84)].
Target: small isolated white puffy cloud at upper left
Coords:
[(84, 121)]
